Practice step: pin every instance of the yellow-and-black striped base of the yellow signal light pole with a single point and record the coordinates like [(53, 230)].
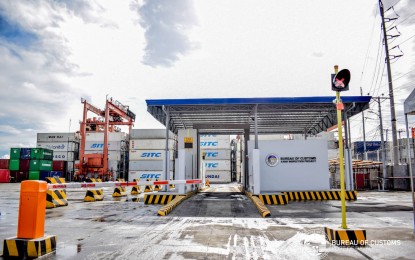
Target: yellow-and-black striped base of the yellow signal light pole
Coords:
[(346, 237)]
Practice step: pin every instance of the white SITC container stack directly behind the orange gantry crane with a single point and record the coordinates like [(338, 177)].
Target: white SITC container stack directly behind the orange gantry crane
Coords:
[(117, 150)]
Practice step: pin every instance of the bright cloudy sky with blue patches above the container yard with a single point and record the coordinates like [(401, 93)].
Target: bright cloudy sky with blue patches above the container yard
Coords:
[(53, 53)]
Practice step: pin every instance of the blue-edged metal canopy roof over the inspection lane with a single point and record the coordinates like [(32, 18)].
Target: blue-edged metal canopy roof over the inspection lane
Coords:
[(277, 115)]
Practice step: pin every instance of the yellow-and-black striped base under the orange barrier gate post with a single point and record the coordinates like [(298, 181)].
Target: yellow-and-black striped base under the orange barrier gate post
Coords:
[(28, 248)]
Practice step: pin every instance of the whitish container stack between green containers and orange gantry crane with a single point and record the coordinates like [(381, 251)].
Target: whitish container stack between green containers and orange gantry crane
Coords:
[(65, 147)]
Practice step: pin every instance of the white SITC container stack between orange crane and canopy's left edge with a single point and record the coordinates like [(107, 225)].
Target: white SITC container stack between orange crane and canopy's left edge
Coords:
[(147, 153)]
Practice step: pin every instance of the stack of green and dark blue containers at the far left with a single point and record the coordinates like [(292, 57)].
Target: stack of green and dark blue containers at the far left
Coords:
[(30, 164)]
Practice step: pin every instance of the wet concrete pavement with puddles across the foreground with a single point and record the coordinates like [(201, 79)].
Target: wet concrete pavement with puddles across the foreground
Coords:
[(219, 223)]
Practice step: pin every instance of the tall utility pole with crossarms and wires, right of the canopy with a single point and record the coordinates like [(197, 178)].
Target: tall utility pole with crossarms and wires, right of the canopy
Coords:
[(392, 101)]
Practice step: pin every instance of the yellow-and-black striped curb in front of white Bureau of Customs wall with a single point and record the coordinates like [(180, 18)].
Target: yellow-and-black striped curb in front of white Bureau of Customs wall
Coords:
[(319, 195)]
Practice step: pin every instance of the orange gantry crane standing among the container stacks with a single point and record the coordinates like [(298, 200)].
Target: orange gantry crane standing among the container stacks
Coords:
[(113, 115)]
